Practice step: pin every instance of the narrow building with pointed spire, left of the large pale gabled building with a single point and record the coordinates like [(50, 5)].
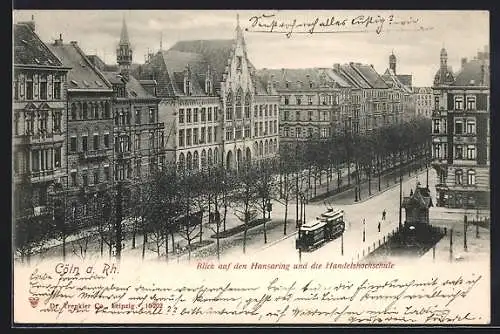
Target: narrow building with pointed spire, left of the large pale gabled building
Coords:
[(139, 138)]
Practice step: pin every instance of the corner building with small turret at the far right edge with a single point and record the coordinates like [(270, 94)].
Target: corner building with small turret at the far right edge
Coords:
[(461, 133)]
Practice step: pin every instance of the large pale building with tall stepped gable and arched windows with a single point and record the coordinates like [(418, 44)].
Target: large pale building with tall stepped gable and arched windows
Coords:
[(215, 108)]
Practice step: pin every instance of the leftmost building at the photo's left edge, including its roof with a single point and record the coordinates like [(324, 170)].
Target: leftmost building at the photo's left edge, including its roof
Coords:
[(38, 121)]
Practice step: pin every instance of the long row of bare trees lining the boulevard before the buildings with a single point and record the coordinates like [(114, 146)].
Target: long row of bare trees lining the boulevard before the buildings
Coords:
[(176, 201)]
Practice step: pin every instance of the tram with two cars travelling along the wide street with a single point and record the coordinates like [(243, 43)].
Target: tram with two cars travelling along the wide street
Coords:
[(327, 227)]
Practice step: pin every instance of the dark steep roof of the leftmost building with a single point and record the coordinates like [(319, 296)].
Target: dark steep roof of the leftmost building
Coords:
[(30, 50)]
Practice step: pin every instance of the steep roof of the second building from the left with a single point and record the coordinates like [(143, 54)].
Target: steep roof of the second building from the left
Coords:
[(83, 74)]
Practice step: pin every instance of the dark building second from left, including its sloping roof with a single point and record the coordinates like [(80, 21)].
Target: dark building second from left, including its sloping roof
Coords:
[(89, 132)]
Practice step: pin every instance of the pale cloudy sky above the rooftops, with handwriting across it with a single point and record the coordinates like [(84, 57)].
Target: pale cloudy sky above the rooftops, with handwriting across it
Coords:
[(338, 36)]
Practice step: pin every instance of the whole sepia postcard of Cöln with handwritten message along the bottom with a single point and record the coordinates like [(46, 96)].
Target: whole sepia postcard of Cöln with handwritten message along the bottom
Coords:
[(251, 166)]
